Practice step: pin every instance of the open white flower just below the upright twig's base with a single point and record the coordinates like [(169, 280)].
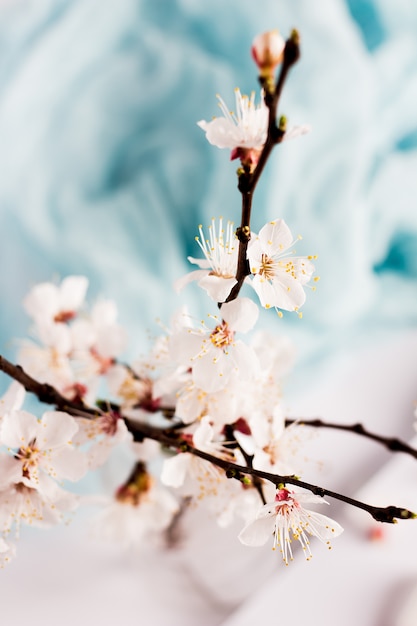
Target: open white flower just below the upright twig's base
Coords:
[(214, 354)]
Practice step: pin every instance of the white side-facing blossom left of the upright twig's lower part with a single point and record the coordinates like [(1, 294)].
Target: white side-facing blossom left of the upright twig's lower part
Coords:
[(218, 269)]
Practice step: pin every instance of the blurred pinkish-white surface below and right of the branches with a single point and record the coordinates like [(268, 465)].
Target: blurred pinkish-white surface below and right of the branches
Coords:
[(62, 577)]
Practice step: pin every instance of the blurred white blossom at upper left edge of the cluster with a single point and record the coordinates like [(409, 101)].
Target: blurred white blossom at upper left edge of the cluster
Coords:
[(47, 302)]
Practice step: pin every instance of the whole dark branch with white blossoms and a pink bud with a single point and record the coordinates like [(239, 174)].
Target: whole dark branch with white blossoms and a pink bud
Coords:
[(202, 414)]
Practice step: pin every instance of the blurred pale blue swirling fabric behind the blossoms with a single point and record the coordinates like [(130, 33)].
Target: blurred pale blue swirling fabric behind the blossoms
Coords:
[(104, 172)]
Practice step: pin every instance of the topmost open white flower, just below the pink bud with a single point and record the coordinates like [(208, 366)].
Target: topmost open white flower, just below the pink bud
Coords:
[(245, 129)]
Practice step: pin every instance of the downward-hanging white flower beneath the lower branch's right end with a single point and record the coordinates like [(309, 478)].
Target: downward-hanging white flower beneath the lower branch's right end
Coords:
[(287, 520)]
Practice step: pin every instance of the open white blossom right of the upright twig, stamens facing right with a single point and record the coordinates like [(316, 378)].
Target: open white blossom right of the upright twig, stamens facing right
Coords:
[(278, 277)]
